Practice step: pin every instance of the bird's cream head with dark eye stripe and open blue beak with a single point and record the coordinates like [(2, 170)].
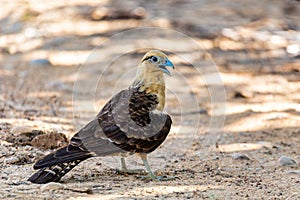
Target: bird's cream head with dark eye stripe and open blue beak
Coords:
[(156, 61)]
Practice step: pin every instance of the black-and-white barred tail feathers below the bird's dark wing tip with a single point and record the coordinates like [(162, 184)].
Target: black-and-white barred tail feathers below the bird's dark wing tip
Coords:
[(53, 173)]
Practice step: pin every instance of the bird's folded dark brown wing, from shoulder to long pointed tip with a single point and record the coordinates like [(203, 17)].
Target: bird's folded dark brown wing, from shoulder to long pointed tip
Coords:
[(127, 123)]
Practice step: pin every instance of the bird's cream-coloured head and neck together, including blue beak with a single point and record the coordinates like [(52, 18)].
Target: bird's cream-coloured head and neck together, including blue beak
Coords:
[(150, 72)]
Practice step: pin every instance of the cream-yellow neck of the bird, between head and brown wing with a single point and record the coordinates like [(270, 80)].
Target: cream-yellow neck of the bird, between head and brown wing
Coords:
[(152, 84)]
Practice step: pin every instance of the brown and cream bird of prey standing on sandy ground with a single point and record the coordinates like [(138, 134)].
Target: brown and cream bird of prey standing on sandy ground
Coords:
[(133, 121)]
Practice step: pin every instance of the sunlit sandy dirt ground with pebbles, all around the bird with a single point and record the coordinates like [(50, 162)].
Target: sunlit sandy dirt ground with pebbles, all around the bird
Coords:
[(239, 143)]
